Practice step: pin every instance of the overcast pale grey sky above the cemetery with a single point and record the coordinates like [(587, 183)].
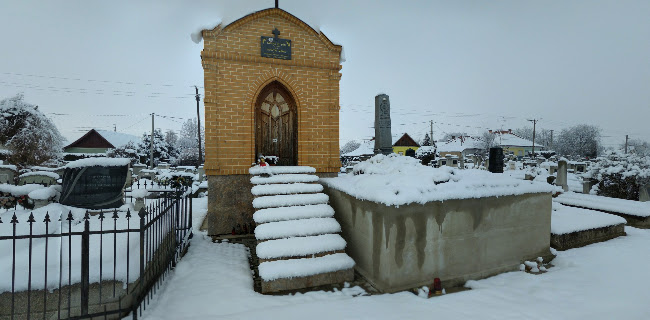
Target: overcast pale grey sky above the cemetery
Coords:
[(467, 65)]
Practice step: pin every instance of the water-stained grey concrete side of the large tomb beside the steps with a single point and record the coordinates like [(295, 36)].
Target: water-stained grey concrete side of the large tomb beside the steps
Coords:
[(404, 247)]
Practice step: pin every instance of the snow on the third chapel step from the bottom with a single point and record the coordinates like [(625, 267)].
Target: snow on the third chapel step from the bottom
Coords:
[(297, 228)]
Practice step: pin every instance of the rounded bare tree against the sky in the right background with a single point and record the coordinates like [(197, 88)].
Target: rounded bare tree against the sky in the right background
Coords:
[(579, 141)]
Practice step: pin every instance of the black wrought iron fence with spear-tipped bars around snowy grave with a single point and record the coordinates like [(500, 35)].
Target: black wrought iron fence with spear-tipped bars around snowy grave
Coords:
[(87, 264)]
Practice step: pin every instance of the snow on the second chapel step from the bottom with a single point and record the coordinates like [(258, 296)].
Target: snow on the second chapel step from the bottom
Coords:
[(299, 246)]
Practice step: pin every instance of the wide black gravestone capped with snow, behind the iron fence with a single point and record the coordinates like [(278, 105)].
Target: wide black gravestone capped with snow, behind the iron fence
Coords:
[(97, 184)]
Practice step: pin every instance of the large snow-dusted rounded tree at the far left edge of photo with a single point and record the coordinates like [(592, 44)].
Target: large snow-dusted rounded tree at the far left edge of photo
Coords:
[(27, 133)]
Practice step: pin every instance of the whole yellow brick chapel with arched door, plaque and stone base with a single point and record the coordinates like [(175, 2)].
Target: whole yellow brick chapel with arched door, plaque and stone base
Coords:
[(271, 89)]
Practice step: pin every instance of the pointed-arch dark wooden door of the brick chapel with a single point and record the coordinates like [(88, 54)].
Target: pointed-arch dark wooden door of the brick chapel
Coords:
[(276, 125)]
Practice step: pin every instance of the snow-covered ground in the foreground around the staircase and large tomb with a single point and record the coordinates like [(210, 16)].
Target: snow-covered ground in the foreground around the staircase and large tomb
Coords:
[(601, 281)]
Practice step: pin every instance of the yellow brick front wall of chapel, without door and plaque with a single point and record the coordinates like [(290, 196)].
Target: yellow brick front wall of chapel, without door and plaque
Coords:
[(235, 73)]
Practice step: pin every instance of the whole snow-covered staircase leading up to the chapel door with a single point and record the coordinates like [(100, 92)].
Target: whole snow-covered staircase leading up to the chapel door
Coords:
[(298, 244)]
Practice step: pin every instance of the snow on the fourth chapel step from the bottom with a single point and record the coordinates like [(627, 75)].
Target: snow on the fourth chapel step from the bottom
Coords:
[(293, 213)]
